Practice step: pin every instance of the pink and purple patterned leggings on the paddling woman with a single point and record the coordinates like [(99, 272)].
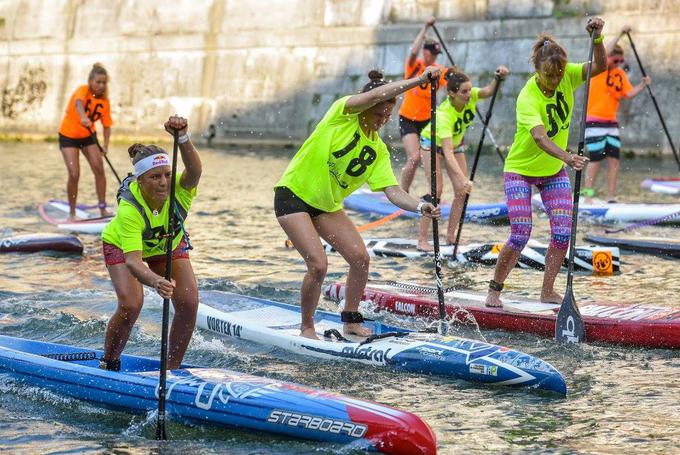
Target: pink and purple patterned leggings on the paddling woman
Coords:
[(556, 195)]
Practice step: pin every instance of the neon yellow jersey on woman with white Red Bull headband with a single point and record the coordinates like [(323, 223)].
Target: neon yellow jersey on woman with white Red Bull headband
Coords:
[(126, 228)]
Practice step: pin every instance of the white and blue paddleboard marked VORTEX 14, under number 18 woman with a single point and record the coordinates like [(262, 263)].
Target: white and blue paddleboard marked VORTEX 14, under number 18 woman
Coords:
[(278, 324)]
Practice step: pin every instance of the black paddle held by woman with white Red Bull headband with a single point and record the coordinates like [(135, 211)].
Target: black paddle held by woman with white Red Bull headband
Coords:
[(160, 427)]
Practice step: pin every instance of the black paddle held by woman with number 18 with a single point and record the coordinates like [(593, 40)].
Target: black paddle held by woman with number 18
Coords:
[(433, 193)]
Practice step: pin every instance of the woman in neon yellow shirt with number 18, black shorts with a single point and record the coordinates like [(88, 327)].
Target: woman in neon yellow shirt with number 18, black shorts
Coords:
[(342, 154)]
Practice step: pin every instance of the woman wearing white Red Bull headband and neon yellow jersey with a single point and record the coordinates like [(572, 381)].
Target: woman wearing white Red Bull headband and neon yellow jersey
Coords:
[(138, 234)]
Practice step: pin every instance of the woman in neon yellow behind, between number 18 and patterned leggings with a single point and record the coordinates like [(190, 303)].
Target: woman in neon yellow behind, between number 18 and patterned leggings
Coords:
[(454, 115)]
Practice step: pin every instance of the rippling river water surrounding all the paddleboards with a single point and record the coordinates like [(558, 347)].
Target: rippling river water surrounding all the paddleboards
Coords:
[(620, 400)]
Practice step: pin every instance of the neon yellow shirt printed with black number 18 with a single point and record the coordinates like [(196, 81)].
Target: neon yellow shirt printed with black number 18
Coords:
[(336, 160)]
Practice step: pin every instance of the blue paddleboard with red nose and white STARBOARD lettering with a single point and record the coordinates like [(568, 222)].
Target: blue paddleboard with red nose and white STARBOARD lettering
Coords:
[(211, 396)]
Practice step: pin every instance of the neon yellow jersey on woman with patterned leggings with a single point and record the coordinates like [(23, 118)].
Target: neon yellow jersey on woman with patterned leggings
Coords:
[(554, 113)]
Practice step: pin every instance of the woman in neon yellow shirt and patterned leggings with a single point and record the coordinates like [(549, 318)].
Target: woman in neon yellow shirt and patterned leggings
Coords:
[(538, 156)]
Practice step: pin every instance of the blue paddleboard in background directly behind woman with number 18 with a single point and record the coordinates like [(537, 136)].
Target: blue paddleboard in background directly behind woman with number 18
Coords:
[(366, 201)]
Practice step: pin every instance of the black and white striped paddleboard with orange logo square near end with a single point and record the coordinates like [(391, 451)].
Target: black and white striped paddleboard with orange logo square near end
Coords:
[(600, 260)]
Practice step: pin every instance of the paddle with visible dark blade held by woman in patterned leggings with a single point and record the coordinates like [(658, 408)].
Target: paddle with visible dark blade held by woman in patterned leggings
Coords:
[(569, 327)]
